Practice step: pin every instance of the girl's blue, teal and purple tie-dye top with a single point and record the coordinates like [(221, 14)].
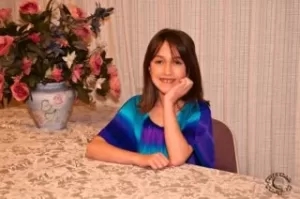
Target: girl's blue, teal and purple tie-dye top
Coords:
[(134, 131)]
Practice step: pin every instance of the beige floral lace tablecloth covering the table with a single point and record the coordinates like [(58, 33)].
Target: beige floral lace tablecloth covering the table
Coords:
[(41, 164)]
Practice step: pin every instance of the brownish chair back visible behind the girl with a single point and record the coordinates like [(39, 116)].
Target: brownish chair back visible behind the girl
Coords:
[(225, 157)]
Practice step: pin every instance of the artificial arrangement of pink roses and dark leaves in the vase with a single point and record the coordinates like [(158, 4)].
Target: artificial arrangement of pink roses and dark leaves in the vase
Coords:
[(54, 45)]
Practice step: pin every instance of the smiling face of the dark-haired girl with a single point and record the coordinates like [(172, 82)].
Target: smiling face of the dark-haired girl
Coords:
[(167, 68)]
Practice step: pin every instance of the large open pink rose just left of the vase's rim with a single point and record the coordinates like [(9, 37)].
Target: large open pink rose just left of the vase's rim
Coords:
[(20, 90)]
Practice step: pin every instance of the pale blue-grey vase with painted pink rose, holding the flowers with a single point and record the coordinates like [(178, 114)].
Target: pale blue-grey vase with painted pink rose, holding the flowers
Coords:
[(50, 105)]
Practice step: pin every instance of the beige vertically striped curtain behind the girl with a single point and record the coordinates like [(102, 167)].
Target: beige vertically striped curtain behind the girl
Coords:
[(249, 52)]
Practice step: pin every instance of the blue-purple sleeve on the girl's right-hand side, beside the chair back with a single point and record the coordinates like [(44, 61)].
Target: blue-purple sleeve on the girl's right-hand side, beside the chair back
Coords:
[(198, 133)]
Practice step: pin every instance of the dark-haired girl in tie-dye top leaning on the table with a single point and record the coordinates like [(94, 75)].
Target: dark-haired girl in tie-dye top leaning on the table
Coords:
[(170, 123)]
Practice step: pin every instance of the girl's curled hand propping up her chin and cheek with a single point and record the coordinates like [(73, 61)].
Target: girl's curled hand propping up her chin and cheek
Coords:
[(178, 90)]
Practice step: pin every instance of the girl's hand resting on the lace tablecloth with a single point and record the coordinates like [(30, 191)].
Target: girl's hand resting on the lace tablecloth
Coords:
[(155, 161)]
